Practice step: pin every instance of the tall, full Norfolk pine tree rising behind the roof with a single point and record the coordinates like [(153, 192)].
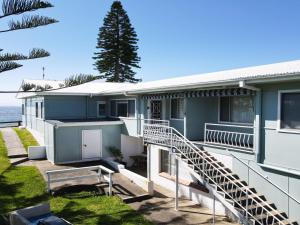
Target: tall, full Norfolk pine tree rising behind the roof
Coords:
[(117, 41)]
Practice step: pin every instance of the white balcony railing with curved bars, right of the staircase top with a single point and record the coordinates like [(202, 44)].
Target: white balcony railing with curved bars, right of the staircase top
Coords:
[(235, 136)]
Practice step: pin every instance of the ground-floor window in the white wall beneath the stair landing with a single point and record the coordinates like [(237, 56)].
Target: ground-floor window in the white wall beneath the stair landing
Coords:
[(167, 162)]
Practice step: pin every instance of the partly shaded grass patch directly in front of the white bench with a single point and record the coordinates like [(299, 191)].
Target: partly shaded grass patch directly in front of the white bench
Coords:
[(86, 204)]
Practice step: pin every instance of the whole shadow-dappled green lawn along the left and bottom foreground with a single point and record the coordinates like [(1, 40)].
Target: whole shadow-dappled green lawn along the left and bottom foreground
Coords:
[(24, 186)]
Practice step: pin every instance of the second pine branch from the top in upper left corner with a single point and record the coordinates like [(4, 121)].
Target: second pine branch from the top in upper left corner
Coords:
[(29, 22)]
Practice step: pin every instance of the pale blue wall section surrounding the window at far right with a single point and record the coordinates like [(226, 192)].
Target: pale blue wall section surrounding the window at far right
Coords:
[(278, 148)]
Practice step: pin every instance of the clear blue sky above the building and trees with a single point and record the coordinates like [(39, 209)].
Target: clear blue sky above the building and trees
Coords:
[(176, 37)]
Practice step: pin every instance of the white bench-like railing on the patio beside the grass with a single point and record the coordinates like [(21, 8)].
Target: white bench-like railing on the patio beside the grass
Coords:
[(97, 172)]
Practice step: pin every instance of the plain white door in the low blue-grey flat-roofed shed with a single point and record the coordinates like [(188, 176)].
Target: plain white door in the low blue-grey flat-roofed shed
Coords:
[(91, 144)]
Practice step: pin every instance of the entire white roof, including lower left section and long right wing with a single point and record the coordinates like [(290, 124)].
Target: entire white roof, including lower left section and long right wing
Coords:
[(284, 70)]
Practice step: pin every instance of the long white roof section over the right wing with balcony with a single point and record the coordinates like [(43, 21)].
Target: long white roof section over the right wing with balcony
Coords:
[(283, 70)]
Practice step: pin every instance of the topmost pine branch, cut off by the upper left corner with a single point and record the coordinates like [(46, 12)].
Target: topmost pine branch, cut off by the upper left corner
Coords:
[(13, 7)]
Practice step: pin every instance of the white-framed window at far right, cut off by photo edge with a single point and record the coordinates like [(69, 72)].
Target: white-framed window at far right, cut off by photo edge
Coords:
[(289, 110)]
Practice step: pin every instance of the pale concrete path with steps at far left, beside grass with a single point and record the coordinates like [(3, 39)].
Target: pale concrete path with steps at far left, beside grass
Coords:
[(15, 150)]
